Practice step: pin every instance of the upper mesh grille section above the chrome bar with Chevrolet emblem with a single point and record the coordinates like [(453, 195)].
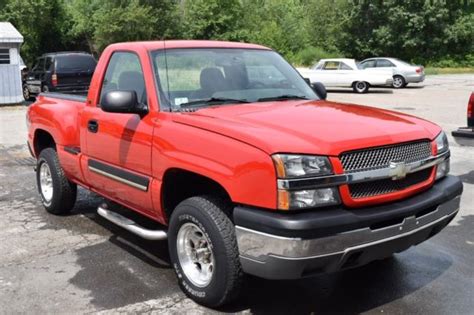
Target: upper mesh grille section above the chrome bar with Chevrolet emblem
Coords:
[(380, 157)]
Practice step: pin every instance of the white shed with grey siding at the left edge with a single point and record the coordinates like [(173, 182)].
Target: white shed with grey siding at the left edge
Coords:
[(10, 62)]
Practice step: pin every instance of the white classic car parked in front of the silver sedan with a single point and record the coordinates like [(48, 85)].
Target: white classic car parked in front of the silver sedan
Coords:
[(345, 73)]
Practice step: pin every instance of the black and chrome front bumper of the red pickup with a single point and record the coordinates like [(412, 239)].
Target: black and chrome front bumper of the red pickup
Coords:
[(291, 246)]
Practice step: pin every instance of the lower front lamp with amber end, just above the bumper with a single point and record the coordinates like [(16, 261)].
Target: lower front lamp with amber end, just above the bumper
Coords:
[(309, 198)]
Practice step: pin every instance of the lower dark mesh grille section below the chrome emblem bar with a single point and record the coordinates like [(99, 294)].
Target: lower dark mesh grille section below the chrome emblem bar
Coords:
[(387, 185)]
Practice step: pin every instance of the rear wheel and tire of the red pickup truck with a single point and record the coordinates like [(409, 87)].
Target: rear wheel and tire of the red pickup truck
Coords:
[(58, 194)]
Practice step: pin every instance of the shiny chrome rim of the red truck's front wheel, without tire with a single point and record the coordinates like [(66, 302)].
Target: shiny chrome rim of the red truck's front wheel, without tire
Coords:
[(195, 254)]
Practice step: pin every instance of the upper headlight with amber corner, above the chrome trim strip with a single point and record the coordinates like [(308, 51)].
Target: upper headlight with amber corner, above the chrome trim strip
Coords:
[(292, 165)]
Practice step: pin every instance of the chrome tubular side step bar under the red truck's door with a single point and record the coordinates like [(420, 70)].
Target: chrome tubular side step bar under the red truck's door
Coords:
[(129, 225)]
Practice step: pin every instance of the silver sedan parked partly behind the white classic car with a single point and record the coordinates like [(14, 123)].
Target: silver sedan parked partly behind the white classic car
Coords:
[(403, 72)]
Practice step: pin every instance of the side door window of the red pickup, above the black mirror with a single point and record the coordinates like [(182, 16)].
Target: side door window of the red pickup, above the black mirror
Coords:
[(125, 73)]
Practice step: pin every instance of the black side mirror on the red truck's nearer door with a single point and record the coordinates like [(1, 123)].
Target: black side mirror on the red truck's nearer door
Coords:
[(125, 102)]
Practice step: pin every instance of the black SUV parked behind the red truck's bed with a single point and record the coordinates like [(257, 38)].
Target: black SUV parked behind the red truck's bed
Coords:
[(67, 72)]
